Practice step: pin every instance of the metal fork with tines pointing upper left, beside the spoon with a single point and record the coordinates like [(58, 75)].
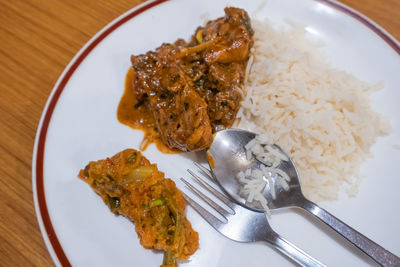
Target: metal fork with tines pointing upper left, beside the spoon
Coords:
[(243, 225)]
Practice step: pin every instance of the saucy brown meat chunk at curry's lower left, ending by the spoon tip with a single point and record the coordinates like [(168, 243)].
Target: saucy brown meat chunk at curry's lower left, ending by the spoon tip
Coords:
[(180, 113)]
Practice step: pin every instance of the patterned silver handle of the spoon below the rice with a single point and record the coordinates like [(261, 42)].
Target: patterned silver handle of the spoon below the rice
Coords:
[(369, 247)]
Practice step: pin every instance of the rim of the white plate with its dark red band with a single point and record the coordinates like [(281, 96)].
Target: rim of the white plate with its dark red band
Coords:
[(42, 214)]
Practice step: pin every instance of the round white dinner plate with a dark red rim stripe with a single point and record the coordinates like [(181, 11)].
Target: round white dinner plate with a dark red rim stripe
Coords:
[(79, 124)]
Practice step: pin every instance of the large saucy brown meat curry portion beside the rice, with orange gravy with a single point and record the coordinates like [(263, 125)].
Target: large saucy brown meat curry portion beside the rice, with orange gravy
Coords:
[(182, 93)]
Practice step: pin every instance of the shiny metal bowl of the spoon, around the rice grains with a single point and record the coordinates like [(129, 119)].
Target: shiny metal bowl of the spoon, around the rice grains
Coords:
[(229, 155)]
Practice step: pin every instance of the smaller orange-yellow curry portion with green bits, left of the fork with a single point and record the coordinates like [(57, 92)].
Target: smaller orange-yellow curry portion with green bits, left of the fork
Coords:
[(133, 187)]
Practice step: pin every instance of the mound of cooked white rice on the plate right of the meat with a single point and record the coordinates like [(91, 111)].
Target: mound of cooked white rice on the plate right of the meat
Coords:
[(319, 115)]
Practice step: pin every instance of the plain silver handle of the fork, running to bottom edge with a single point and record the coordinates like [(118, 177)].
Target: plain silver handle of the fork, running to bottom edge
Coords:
[(293, 252)]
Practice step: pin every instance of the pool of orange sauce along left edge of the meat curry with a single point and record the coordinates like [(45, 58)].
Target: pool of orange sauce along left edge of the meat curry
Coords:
[(139, 118)]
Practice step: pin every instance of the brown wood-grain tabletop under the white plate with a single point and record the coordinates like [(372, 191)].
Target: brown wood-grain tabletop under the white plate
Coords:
[(37, 40)]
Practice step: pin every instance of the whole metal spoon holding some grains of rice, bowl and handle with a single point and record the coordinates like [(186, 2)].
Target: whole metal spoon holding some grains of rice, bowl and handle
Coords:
[(228, 157)]
